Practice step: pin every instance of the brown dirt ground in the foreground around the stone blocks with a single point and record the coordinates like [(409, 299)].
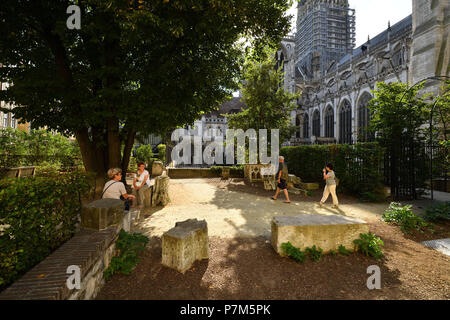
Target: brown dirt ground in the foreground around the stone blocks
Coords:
[(249, 268)]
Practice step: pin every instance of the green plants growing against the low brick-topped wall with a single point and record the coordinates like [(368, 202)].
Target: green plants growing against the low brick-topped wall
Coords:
[(129, 246)]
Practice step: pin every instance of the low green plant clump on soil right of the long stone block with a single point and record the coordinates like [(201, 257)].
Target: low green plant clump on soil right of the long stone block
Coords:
[(405, 218)]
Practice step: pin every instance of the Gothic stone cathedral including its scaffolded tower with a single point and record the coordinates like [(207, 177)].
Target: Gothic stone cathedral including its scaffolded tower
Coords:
[(337, 80)]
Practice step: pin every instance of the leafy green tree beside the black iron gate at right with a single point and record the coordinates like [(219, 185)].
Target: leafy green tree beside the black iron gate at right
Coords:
[(398, 118)]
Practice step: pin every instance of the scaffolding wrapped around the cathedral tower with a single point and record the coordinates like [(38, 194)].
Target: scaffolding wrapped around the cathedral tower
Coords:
[(325, 33)]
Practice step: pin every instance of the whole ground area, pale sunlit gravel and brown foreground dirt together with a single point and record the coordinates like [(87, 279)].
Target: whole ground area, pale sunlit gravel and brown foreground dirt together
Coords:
[(243, 265)]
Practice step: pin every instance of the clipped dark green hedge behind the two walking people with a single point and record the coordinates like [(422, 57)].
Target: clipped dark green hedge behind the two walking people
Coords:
[(359, 167)]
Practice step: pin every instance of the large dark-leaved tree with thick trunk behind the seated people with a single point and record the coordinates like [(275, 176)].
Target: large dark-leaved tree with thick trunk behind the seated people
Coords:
[(134, 66)]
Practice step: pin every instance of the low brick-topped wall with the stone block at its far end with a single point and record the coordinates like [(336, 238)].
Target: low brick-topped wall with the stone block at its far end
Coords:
[(91, 250)]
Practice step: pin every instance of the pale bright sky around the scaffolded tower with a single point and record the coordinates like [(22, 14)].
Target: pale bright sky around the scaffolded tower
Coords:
[(372, 16)]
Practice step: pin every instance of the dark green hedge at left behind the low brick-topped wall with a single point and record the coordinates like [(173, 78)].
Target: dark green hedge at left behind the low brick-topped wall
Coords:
[(37, 215)]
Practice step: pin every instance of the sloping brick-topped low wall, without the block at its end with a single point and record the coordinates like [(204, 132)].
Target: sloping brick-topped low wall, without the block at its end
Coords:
[(90, 250)]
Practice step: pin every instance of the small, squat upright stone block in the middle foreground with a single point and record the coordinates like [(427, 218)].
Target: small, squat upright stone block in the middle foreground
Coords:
[(184, 244)]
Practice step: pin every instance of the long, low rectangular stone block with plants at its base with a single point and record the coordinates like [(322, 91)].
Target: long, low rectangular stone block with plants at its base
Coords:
[(326, 232)]
